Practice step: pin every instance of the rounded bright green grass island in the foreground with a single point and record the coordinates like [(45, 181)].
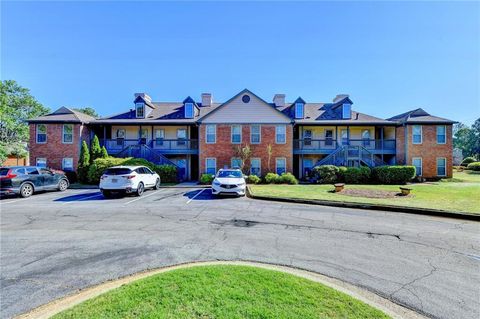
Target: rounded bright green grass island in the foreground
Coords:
[(223, 292)]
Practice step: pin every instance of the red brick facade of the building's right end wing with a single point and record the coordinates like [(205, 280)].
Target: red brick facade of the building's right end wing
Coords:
[(429, 150)]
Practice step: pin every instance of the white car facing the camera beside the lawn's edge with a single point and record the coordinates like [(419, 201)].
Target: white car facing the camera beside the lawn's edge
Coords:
[(229, 181)]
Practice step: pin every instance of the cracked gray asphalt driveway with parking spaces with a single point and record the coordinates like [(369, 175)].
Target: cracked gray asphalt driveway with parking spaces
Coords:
[(54, 243)]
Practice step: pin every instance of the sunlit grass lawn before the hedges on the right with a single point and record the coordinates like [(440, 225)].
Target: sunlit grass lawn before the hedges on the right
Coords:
[(458, 194)]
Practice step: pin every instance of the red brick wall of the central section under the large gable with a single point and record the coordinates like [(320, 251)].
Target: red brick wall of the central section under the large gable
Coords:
[(223, 149)]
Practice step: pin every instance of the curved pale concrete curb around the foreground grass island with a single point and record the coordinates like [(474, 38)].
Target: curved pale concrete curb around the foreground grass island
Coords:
[(368, 297)]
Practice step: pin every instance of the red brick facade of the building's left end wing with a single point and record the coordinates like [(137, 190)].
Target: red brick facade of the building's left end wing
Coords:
[(54, 151)]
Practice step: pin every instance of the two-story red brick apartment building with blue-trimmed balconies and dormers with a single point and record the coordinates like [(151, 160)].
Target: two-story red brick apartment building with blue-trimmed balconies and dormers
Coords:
[(204, 136)]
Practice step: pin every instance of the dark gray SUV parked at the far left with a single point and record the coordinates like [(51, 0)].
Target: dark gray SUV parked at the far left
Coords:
[(25, 180)]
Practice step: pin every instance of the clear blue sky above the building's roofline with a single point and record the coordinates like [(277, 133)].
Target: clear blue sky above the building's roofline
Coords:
[(389, 56)]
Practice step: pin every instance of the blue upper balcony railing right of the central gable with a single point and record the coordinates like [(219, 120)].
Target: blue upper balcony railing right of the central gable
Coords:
[(307, 144)]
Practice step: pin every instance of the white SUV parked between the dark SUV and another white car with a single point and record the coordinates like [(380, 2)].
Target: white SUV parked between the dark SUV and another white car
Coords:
[(128, 180)]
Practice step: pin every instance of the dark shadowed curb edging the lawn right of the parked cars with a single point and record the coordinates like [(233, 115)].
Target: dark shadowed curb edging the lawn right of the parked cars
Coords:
[(401, 209)]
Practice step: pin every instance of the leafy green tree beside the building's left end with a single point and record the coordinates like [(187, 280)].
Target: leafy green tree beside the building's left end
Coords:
[(16, 106)]
